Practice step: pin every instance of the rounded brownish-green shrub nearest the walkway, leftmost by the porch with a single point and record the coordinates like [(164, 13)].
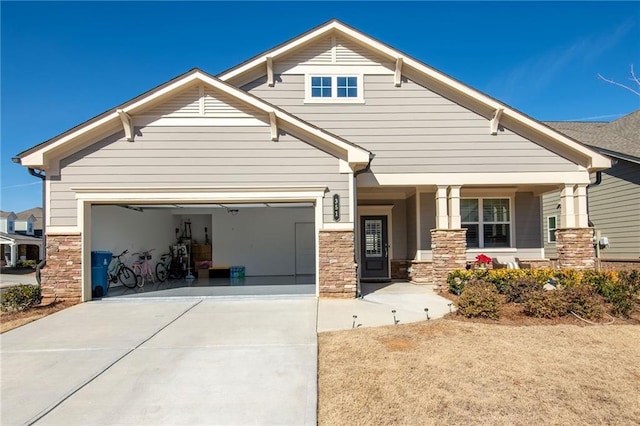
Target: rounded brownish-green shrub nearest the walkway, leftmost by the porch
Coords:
[(480, 300)]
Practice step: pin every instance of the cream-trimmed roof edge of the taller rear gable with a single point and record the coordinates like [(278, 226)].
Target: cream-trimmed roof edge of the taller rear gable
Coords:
[(435, 80)]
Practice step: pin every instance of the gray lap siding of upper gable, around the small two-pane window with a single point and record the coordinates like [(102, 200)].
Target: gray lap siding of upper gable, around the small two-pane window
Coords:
[(414, 130)]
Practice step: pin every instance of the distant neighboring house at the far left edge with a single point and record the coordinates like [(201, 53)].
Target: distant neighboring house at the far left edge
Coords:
[(16, 245)]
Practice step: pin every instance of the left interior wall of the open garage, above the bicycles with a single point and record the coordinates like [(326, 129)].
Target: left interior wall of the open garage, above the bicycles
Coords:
[(115, 229)]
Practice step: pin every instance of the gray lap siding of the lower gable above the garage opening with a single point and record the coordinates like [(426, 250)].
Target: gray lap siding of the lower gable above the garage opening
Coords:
[(196, 156)]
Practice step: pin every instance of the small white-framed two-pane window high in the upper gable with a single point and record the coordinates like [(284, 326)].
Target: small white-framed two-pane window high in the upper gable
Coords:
[(334, 88)]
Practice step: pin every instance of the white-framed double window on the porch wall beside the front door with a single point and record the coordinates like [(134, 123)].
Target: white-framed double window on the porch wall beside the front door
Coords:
[(488, 222)]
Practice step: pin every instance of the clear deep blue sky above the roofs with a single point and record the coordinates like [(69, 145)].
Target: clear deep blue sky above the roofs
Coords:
[(65, 62)]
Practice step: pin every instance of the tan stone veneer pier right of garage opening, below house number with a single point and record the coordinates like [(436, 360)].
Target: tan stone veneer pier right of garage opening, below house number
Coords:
[(337, 268)]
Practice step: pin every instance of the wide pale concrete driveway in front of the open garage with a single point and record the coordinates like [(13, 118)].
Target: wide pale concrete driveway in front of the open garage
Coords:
[(180, 361)]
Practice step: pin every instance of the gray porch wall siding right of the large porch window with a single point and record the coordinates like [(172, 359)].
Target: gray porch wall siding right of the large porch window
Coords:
[(527, 217)]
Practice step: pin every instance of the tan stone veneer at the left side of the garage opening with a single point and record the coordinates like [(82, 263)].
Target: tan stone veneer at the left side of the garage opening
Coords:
[(61, 278)]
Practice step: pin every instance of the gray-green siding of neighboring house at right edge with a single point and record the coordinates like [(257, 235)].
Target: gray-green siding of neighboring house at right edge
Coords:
[(614, 210)]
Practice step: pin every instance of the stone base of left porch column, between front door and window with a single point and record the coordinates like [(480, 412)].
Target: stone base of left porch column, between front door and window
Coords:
[(449, 248)]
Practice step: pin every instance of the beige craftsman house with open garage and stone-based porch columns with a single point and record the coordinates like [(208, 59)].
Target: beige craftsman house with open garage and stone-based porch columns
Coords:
[(332, 156)]
